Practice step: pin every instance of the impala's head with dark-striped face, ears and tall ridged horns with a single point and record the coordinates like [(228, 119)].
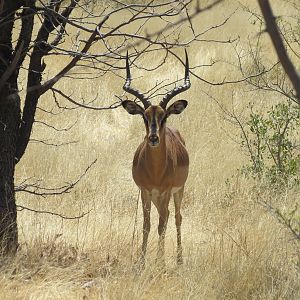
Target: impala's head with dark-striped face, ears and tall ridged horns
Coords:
[(155, 116)]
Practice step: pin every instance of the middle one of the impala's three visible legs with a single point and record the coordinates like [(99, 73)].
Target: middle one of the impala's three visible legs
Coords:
[(162, 227)]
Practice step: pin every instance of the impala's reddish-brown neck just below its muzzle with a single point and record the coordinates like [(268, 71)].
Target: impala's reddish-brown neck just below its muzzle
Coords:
[(156, 157)]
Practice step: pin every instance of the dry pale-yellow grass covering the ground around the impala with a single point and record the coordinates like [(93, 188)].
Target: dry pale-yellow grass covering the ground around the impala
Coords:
[(233, 249)]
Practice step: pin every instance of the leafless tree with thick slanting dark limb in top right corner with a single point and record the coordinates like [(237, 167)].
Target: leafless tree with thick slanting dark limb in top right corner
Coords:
[(277, 76)]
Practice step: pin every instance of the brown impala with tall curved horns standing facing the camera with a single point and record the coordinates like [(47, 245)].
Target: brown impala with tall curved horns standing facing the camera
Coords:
[(161, 162)]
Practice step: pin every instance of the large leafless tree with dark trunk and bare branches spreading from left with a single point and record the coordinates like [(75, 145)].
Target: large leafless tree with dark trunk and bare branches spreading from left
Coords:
[(33, 30)]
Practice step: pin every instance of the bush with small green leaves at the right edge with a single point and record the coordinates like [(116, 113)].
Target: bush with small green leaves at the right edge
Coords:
[(273, 144)]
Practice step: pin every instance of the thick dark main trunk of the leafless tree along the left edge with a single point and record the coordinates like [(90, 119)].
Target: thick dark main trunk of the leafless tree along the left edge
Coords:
[(9, 125)]
